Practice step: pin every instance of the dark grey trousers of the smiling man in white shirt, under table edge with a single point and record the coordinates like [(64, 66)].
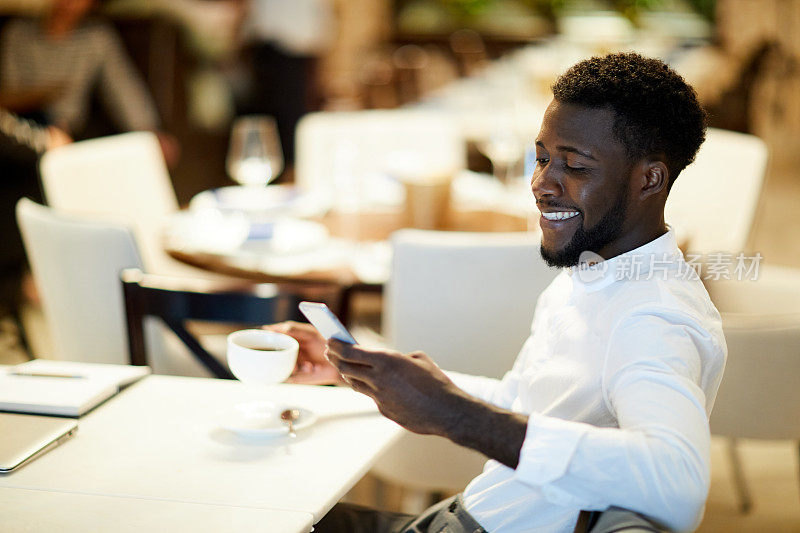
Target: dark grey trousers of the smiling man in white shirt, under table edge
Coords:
[(448, 516)]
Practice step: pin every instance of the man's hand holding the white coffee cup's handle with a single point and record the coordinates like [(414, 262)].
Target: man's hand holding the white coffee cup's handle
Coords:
[(312, 368)]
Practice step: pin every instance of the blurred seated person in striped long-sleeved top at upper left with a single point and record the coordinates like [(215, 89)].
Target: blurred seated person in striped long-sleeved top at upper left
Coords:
[(64, 57)]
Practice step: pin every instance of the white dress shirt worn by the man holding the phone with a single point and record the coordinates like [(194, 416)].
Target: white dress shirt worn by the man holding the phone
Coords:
[(618, 378)]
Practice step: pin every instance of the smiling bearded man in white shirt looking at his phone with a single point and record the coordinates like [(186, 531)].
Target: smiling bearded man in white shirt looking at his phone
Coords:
[(608, 401)]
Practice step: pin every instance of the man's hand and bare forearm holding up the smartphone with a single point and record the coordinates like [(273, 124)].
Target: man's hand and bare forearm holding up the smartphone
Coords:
[(411, 390)]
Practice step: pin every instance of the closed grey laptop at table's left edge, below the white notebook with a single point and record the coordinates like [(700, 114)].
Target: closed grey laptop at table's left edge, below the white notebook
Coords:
[(26, 437)]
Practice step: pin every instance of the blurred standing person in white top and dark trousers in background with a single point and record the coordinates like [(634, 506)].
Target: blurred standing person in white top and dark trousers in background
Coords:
[(285, 39)]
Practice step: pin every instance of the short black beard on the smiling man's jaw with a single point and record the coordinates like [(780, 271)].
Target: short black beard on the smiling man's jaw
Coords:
[(592, 239)]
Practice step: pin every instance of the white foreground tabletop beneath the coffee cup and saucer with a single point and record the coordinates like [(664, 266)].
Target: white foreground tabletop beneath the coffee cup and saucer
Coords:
[(161, 439)]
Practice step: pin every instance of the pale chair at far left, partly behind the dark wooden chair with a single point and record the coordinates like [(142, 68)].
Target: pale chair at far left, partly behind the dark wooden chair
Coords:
[(76, 263)]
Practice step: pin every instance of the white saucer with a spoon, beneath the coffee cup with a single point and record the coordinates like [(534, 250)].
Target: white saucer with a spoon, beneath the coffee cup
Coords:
[(263, 419)]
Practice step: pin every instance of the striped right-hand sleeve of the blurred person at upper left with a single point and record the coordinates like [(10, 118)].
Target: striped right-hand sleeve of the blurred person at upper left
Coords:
[(122, 90)]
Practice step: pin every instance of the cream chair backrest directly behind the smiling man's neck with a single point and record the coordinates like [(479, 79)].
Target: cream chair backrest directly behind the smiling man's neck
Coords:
[(714, 200)]
